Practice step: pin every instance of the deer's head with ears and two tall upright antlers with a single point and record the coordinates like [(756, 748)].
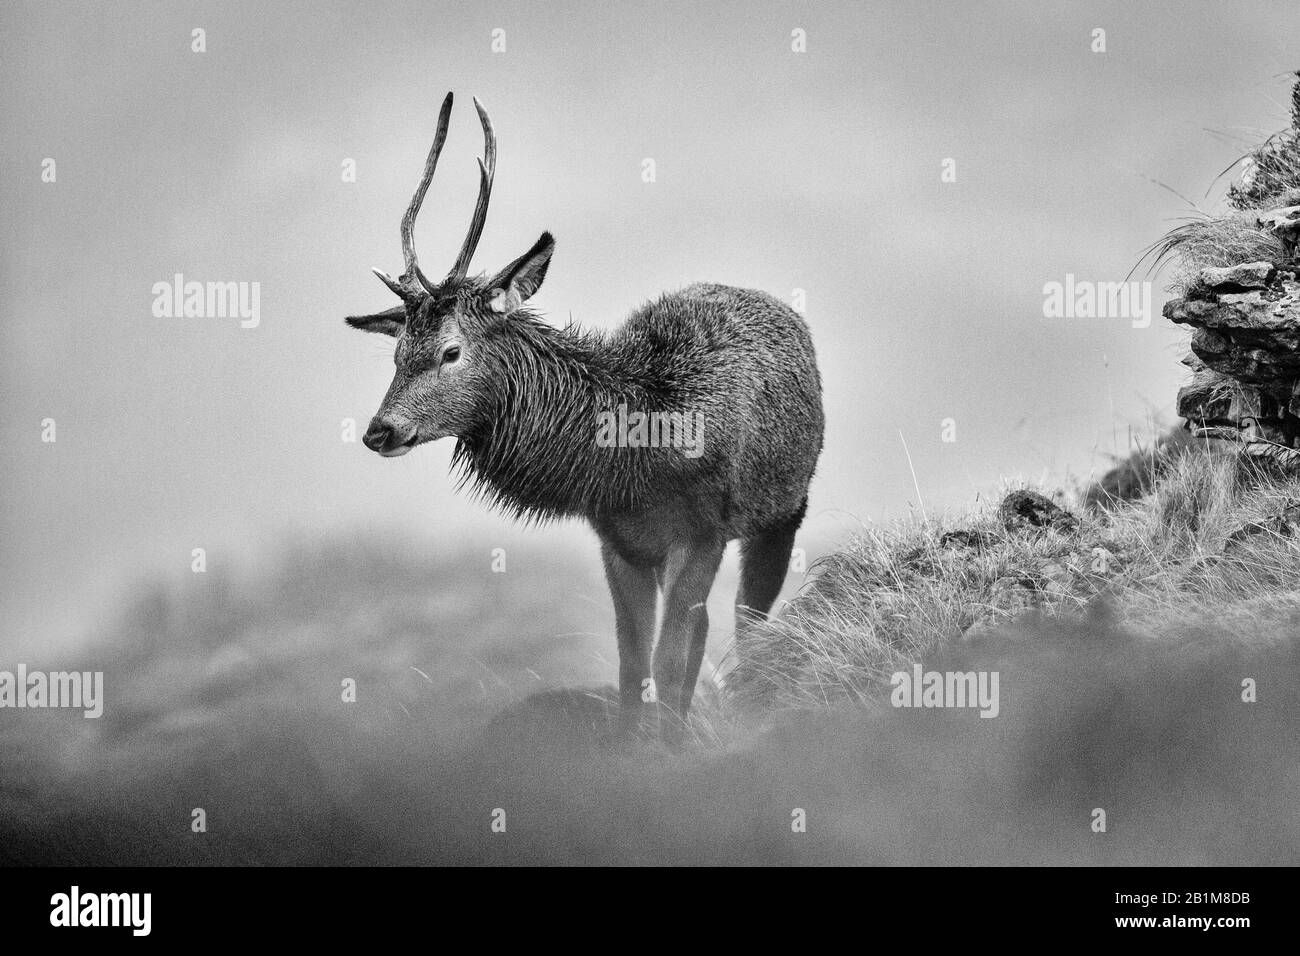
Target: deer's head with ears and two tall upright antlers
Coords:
[(445, 331)]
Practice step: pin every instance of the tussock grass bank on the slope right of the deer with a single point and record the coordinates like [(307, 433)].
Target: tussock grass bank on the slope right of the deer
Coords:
[(1206, 544)]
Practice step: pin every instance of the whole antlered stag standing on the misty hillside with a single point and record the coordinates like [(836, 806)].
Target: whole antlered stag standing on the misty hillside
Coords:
[(696, 423)]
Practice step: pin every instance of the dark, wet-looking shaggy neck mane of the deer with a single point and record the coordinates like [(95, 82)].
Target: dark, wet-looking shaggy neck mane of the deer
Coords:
[(534, 452)]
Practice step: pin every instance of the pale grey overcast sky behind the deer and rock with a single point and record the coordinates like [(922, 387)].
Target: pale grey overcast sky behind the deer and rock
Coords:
[(777, 170)]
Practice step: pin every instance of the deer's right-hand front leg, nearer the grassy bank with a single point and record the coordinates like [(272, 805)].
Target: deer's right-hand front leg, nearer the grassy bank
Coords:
[(688, 577)]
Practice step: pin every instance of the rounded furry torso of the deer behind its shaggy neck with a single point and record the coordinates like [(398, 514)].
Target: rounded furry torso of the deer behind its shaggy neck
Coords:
[(743, 361)]
